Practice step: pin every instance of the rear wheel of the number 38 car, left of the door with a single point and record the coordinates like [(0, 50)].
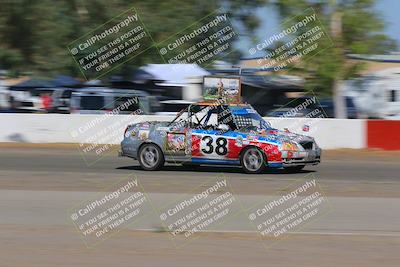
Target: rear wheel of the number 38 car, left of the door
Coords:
[(151, 157)]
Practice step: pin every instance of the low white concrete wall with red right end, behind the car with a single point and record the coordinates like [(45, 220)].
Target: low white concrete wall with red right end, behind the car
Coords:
[(329, 133)]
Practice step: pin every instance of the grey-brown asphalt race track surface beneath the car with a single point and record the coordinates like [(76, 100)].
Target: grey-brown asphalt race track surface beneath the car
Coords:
[(39, 185)]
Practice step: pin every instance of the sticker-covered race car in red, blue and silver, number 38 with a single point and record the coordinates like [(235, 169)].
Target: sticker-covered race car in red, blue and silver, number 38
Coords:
[(218, 134)]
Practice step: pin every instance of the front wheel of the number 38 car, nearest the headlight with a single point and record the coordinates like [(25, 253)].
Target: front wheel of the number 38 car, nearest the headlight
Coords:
[(253, 160)]
